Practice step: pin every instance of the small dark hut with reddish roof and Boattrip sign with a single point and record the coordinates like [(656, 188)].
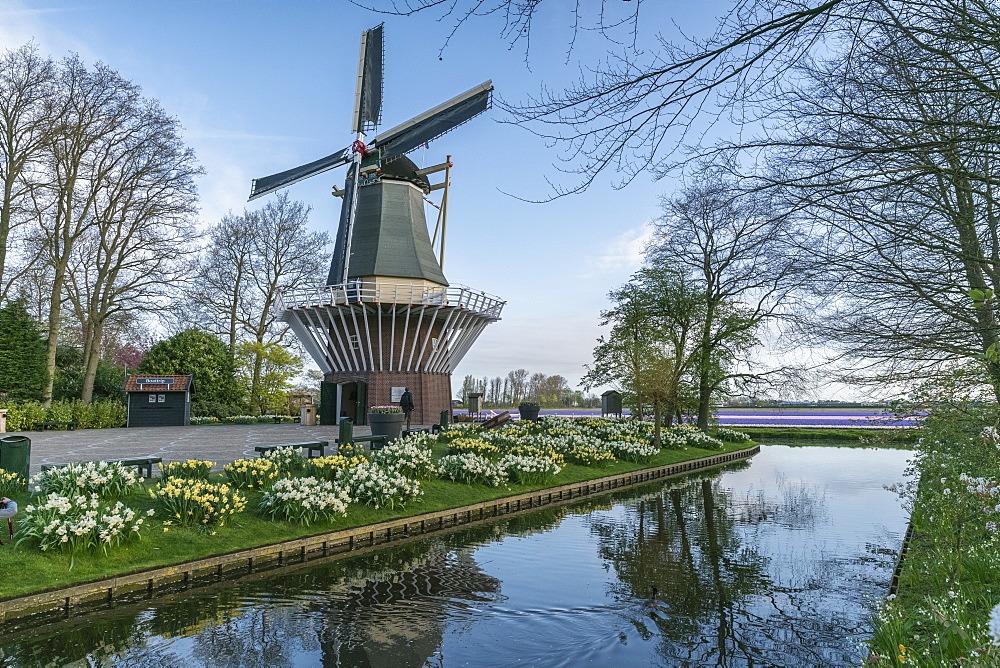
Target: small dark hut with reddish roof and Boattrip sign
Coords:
[(158, 400)]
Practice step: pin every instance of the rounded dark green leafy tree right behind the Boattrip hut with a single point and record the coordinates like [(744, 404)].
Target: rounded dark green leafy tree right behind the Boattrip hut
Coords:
[(194, 351)]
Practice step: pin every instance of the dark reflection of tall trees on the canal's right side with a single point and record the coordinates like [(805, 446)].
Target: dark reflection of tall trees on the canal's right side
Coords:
[(718, 603)]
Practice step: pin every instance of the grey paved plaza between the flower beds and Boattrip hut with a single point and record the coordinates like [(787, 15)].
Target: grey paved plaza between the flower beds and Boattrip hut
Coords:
[(219, 444)]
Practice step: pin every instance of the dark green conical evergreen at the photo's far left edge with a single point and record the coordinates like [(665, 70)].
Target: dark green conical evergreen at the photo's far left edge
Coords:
[(22, 354)]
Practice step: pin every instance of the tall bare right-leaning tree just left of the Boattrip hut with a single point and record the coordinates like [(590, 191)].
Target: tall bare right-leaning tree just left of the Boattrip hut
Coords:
[(130, 259)]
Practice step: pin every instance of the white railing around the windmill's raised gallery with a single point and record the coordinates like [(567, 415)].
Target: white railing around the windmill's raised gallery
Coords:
[(355, 292)]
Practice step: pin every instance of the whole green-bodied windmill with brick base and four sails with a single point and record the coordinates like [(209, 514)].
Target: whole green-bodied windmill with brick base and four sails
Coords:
[(387, 318)]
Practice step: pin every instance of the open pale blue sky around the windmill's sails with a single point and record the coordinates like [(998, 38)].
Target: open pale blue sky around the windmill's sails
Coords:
[(264, 86)]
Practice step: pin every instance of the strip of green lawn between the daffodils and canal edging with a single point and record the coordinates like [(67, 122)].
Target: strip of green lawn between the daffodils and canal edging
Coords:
[(30, 571)]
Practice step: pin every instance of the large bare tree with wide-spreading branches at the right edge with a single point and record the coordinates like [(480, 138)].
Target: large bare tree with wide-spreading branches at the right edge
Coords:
[(890, 168)]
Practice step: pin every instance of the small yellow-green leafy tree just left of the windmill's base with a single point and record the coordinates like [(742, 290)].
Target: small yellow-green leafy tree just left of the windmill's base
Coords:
[(265, 371)]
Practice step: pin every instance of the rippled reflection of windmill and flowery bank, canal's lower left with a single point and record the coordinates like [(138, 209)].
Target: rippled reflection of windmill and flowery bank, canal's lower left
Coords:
[(385, 608)]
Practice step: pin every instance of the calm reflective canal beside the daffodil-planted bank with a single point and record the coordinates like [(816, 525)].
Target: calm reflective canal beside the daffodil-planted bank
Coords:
[(775, 562)]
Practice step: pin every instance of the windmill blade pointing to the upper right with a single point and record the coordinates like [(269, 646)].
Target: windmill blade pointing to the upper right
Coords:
[(435, 122)]
